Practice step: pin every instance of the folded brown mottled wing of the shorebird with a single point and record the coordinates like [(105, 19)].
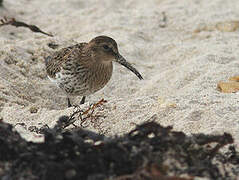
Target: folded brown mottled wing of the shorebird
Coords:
[(54, 63)]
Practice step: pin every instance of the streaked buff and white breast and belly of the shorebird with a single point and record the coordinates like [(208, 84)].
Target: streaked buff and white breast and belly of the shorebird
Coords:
[(81, 80)]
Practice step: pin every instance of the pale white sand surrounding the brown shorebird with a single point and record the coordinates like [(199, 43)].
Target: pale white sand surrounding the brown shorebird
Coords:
[(181, 67)]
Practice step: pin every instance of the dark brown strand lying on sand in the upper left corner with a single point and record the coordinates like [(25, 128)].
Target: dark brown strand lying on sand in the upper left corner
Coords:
[(13, 22)]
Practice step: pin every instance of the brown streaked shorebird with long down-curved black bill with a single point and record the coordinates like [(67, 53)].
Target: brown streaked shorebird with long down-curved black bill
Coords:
[(84, 68)]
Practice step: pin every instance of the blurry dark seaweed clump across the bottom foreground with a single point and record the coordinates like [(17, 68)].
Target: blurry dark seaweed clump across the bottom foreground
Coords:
[(150, 151)]
